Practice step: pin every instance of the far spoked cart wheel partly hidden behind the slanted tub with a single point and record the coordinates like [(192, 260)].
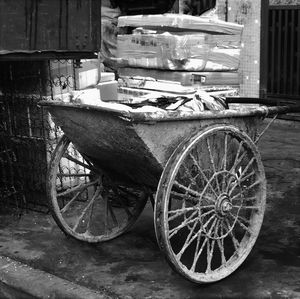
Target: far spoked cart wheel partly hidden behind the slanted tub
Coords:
[(84, 204)]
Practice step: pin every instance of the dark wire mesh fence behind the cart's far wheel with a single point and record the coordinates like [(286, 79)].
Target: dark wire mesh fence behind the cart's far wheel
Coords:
[(27, 134)]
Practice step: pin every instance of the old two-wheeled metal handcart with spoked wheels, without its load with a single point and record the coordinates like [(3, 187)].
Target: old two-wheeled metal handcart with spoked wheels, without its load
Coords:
[(204, 168)]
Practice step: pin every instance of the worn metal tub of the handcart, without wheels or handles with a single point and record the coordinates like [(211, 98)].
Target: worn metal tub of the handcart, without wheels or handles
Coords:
[(133, 147)]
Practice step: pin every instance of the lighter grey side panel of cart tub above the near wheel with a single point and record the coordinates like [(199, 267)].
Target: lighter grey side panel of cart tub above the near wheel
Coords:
[(162, 138)]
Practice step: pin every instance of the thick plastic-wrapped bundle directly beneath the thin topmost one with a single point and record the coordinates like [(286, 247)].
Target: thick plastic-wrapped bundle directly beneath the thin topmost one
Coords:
[(189, 52)]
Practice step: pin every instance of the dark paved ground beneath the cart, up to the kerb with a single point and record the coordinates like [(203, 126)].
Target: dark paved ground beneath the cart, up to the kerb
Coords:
[(132, 265)]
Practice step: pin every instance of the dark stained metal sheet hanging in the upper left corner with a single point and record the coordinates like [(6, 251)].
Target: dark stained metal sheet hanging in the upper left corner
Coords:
[(50, 25)]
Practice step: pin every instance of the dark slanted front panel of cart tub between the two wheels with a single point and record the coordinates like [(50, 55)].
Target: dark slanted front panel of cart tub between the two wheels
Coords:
[(112, 144)]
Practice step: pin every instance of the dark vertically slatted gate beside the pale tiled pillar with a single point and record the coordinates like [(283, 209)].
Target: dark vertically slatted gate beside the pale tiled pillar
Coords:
[(281, 52)]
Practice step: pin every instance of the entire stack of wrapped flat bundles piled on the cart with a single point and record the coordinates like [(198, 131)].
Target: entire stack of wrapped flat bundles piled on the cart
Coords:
[(172, 54)]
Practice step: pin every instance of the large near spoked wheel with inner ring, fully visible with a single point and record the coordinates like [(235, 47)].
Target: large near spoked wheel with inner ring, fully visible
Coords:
[(210, 203)]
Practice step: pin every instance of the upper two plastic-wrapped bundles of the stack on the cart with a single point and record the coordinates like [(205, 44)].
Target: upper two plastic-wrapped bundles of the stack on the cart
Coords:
[(180, 42)]
